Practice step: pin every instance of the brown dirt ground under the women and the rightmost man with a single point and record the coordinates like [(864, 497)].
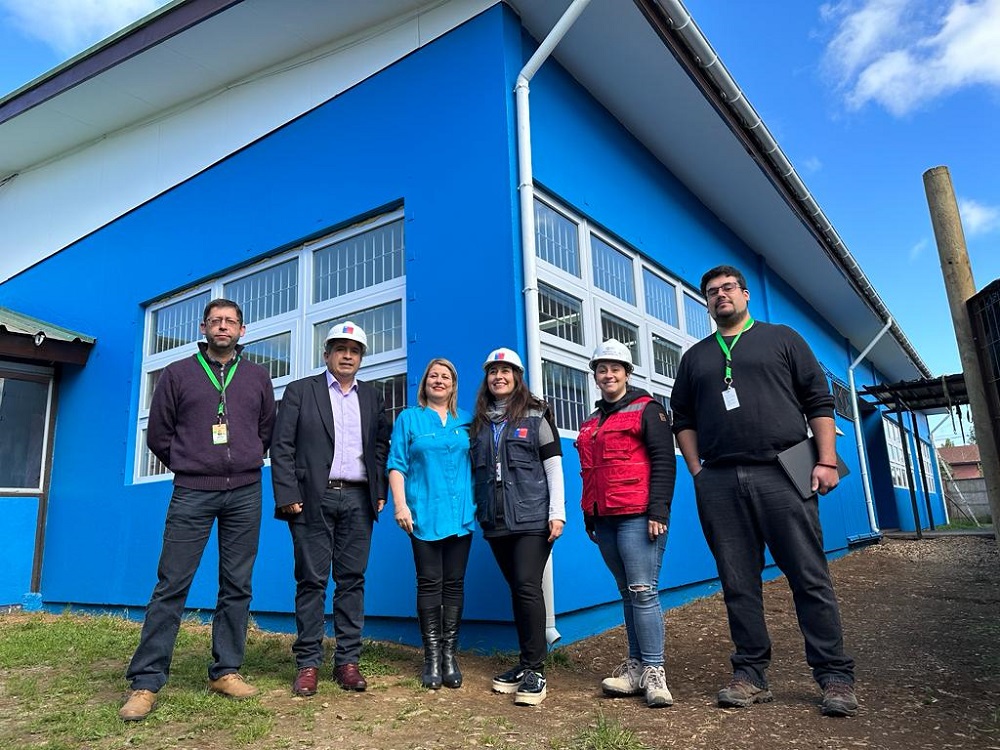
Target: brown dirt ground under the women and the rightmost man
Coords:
[(921, 618)]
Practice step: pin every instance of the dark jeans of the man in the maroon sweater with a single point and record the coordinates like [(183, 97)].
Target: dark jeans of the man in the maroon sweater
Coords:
[(190, 517)]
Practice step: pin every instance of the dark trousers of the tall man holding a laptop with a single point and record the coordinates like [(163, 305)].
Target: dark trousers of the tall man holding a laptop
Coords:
[(742, 508)]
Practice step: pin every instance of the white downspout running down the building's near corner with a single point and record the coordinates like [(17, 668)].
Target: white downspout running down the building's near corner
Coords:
[(526, 193)]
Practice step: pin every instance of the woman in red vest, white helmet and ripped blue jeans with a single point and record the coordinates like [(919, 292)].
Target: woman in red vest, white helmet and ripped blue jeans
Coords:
[(628, 466)]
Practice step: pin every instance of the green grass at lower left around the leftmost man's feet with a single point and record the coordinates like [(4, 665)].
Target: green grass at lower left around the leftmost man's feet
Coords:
[(62, 682)]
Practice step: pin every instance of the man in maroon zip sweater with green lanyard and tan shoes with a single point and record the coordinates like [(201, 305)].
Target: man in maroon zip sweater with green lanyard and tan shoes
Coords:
[(210, 423)]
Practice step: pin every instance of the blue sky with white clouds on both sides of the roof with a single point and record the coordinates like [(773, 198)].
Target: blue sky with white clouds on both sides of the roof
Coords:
[(863, 96)]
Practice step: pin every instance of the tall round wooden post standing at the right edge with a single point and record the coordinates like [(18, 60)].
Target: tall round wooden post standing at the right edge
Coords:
[(958, 283)]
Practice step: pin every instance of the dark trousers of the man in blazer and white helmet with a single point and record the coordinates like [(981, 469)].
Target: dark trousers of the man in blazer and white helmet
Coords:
[(341, 543)]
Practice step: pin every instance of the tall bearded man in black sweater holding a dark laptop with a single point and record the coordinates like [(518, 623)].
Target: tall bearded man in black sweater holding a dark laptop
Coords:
[(745, 499)]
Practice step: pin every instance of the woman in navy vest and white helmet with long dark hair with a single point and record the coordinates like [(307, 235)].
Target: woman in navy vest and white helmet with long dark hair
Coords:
[(518, 486)]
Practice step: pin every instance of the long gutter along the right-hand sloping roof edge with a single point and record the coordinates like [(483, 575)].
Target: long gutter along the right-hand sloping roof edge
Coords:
[(732, 97)]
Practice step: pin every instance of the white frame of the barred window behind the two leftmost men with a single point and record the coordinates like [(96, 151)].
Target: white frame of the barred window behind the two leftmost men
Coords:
[(299, 322)]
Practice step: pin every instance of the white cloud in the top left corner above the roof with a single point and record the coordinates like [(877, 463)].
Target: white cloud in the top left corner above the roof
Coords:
[(71, 26)]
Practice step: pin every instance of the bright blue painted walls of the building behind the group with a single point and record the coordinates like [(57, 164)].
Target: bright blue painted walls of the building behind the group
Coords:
[(446, 153)]
